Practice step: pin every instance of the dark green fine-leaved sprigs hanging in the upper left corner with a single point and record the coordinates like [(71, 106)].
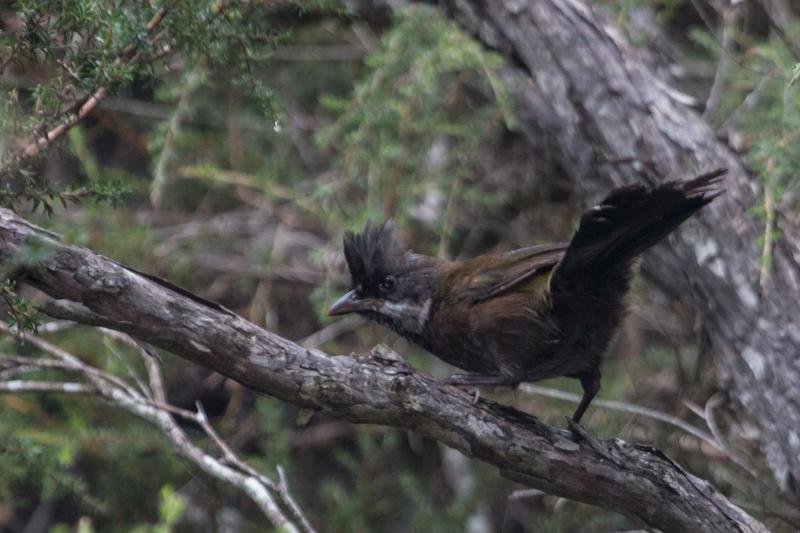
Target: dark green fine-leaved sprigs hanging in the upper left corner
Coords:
[(84, 46)]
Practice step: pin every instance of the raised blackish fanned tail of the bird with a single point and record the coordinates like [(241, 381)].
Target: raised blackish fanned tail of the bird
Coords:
[(627, 222)]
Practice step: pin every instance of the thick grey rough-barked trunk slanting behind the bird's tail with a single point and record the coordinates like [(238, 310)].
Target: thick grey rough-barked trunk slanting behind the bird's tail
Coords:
[(592, 108)]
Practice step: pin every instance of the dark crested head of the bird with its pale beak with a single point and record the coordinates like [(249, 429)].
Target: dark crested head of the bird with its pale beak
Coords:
[(389, 285)]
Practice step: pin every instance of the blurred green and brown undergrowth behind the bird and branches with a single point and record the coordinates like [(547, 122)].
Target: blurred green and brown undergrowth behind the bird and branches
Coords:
[(231, 165)]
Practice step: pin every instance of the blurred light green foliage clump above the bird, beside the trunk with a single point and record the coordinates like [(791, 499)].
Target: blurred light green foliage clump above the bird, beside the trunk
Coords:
[(417, 101)]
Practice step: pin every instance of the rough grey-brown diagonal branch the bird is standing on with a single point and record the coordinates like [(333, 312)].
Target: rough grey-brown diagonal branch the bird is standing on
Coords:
[(637, 480)]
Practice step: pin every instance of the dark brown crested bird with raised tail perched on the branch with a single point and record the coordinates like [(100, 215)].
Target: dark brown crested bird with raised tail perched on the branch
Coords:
[(530, 314)]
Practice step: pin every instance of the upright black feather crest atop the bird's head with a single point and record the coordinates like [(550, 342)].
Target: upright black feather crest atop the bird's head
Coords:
[(370, 253)]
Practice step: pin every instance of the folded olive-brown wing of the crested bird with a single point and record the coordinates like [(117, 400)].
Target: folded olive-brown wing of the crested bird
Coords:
[(498, 273)]
